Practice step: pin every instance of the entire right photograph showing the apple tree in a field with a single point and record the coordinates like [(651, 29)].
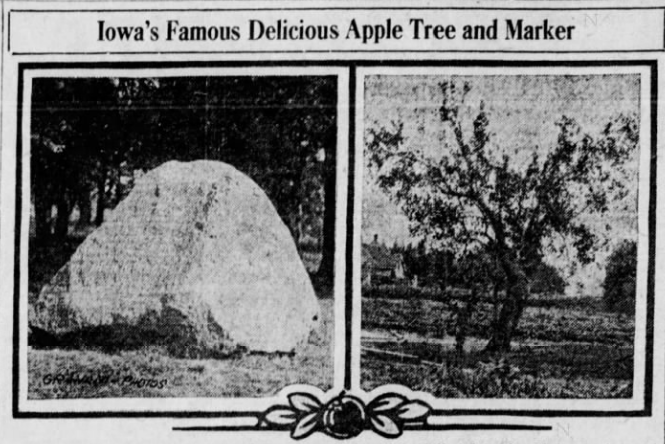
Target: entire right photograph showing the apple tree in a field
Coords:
[(500, 234)]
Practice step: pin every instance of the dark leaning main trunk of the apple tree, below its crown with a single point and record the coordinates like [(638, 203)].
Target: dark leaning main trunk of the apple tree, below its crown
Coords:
[(517, 292)]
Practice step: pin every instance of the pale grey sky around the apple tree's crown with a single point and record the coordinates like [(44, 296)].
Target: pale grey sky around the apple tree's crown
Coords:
[(522, 112)]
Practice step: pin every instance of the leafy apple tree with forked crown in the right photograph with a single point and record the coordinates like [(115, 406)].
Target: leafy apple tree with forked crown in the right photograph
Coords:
[(472, 196)]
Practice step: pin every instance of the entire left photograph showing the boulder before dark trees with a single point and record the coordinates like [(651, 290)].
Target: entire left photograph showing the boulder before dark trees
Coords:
[(181, 235)]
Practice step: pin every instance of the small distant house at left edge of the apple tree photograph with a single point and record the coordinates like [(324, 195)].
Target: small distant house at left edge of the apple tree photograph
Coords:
[(380, 265)]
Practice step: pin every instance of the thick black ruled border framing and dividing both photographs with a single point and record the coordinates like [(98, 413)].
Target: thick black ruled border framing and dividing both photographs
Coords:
[(351, 65)]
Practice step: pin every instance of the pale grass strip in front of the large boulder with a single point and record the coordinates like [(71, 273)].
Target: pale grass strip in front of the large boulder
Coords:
[(152, 372)]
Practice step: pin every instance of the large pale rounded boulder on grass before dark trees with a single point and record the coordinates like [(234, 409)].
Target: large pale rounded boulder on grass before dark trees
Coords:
[(195, 247)]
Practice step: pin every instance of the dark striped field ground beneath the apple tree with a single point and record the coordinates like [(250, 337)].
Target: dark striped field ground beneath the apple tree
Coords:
[(578, 352)]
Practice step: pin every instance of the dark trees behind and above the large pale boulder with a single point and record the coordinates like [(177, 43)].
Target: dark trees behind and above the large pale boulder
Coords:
[(89, 136)]
